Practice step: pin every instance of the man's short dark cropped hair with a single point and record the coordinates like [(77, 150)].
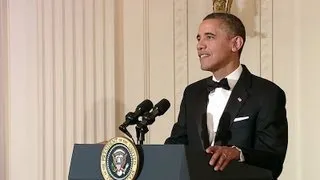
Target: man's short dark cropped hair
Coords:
[(233, 23)]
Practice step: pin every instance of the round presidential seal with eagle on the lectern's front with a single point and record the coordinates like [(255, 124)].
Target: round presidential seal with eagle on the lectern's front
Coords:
[(119, 159)]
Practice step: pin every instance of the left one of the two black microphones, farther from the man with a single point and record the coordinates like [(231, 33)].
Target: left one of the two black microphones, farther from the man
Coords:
[(132, 117)]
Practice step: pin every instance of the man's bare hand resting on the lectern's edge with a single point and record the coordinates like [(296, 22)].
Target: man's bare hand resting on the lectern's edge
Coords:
[(221, 156)]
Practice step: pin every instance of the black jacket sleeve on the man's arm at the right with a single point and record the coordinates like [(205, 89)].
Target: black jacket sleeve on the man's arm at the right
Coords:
[(271, 138)]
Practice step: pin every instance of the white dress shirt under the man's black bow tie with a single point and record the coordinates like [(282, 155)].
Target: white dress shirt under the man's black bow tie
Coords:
[(218, 99)]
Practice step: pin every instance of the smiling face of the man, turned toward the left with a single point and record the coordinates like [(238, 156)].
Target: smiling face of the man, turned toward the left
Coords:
[(214, 45)]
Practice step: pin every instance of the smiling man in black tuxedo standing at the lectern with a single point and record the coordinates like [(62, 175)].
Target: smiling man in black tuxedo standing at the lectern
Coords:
[(233, 115)]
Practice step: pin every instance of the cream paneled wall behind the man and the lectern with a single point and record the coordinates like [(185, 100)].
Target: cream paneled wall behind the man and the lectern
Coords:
[(71, 69)]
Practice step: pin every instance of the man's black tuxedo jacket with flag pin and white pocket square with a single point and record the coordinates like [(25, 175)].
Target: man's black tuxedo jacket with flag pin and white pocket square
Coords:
[(262, 137)]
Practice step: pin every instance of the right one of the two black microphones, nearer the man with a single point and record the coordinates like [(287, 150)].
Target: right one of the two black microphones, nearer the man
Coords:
[(159, 109)]
